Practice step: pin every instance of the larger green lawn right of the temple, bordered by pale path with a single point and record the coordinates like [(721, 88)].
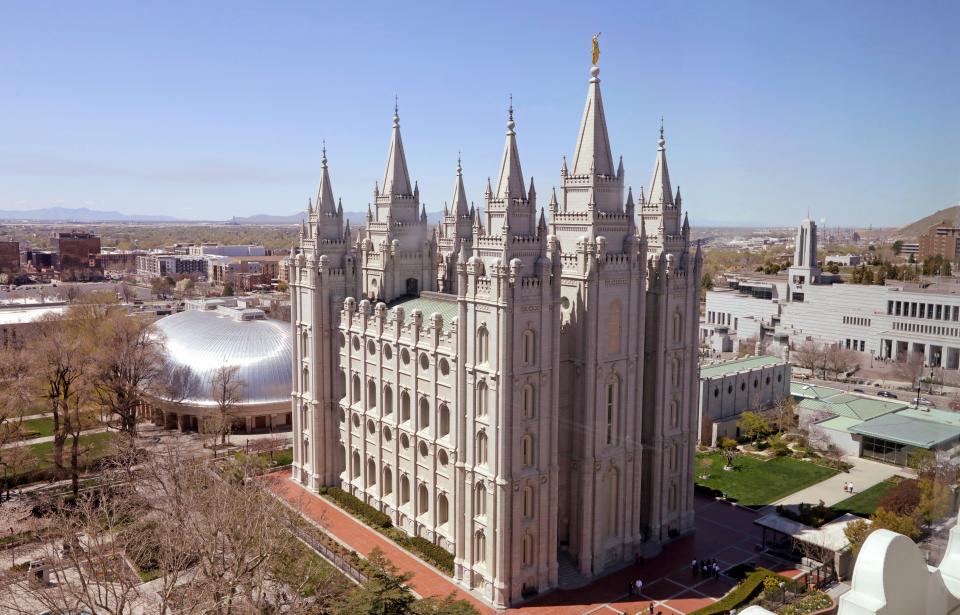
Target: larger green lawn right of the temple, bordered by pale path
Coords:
[(755, 482)]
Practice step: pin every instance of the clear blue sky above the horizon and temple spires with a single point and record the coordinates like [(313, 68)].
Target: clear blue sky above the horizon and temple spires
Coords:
[(209, 109)]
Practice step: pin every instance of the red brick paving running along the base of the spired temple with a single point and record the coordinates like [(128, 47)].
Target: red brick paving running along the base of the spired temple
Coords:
[(724, 532)]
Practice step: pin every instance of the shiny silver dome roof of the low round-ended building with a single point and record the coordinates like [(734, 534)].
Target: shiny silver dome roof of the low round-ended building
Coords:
[(198, 342)]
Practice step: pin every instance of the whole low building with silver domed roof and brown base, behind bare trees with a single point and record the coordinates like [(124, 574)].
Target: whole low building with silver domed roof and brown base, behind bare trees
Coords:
[(199, 341)]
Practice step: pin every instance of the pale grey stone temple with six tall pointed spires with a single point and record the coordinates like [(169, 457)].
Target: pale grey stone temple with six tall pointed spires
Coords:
[(518, 388)]
